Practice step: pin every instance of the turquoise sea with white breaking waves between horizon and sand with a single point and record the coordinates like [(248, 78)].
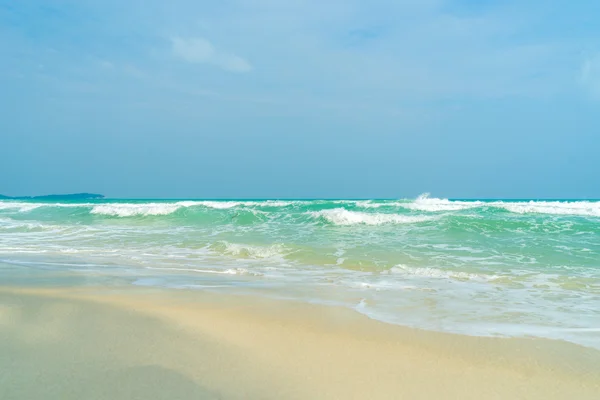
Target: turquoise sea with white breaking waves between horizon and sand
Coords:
[(503, 268)]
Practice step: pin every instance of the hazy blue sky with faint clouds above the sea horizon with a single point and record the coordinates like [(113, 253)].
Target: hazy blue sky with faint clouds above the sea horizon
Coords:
[(300, 98)]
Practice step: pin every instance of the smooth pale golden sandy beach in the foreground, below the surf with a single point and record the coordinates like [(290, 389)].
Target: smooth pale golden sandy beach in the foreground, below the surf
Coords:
[(100, 343)]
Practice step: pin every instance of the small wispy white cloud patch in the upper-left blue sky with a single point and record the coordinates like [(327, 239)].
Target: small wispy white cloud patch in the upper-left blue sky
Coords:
[(201, 51)]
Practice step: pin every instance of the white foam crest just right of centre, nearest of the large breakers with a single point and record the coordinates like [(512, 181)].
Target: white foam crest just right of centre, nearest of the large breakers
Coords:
[(341, 216)]
